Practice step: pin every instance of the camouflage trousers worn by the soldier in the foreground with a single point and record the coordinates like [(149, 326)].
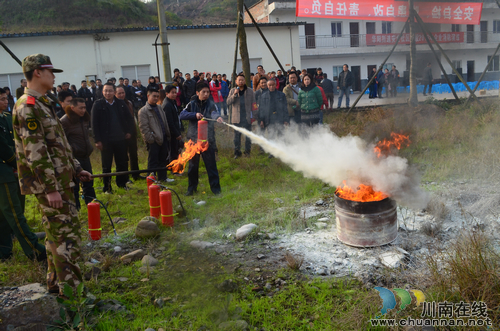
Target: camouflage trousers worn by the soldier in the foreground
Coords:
[(62, 241)]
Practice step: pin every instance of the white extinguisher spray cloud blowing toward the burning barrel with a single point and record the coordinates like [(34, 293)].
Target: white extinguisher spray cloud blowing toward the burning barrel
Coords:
[(319, 153)]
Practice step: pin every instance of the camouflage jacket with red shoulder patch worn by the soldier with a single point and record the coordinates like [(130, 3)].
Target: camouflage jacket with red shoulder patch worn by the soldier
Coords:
[(45, 162)]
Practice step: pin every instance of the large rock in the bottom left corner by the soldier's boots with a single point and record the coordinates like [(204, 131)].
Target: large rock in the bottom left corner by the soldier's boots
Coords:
[(29, 304)]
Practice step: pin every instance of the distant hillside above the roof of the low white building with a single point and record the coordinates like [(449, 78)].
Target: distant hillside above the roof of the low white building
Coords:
[(53, 15)]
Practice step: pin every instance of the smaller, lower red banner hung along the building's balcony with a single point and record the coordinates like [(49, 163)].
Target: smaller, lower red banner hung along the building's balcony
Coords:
[(390, 39)]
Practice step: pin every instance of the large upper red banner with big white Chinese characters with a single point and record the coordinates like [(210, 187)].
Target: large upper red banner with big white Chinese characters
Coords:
[(391, 10)]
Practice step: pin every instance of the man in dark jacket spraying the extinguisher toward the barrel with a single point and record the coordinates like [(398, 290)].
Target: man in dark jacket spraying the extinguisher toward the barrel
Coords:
[(198, 108)]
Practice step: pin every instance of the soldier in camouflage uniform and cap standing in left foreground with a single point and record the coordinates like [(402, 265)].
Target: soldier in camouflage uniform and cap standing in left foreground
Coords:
[(46, 168)]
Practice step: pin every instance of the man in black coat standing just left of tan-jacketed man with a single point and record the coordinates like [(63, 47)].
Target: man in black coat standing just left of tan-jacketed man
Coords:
[(112, 125)]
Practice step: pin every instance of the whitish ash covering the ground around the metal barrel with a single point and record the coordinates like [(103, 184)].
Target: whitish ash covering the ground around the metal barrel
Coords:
[(455, 208)]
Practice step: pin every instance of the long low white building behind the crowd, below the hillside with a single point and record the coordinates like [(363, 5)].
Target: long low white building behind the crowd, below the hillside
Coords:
[(106, 53)]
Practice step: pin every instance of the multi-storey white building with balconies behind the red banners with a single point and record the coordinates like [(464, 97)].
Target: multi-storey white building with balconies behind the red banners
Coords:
[(329, 43)]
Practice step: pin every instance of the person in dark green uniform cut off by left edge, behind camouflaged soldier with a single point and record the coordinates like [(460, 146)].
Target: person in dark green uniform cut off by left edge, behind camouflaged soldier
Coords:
[(12, 220)]
